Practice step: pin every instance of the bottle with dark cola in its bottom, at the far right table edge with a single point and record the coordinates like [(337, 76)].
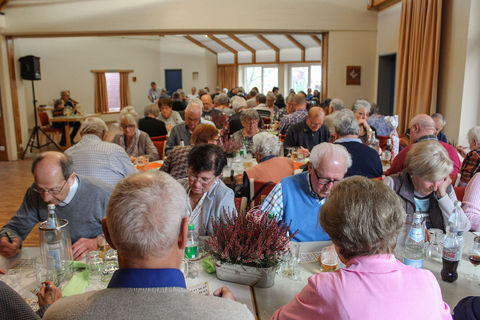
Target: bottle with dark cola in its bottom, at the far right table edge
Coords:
[(452, 247)]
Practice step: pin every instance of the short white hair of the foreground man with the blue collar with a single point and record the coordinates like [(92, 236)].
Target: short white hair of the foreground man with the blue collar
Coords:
[(144, 214)]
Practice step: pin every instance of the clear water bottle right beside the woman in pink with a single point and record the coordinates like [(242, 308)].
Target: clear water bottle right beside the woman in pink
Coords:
[(415, 243)]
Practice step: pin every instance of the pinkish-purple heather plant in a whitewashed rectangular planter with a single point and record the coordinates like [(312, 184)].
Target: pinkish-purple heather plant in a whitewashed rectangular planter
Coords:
[(248, 247)]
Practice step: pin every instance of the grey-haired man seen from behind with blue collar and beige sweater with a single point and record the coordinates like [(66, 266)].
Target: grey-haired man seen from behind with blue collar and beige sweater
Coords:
[(149, 284)]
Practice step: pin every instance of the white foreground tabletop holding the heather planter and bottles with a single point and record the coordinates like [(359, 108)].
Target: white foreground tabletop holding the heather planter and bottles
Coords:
[(264, 301)]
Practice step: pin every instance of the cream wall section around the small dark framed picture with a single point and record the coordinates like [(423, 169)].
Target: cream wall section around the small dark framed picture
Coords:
[(352, 48)]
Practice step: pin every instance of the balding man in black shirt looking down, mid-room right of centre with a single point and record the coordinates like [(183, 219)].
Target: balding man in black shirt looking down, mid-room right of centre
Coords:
[(308, 133)]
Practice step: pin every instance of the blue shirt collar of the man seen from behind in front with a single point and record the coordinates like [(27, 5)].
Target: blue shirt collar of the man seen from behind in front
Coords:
[(147, 278)]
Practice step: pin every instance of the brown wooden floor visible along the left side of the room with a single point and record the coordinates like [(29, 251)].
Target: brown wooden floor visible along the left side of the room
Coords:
[(15, 178)]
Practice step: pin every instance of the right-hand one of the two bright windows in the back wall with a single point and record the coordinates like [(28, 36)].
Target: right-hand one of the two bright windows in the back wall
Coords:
[(304, 77)]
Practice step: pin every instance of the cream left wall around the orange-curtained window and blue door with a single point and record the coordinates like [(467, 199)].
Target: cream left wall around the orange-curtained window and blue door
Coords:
[(66, 64)]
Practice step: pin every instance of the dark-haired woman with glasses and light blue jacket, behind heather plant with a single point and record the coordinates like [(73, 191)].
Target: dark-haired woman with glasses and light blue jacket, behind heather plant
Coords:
[(209, 198)]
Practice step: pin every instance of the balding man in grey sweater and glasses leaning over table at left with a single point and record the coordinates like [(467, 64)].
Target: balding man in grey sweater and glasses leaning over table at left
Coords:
[(81, 200)]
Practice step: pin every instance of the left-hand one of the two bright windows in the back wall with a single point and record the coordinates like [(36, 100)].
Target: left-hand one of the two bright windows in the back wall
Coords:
[(264, 78)]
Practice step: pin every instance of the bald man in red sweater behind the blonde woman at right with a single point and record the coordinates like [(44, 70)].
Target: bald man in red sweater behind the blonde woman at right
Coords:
[(422, 128)]
